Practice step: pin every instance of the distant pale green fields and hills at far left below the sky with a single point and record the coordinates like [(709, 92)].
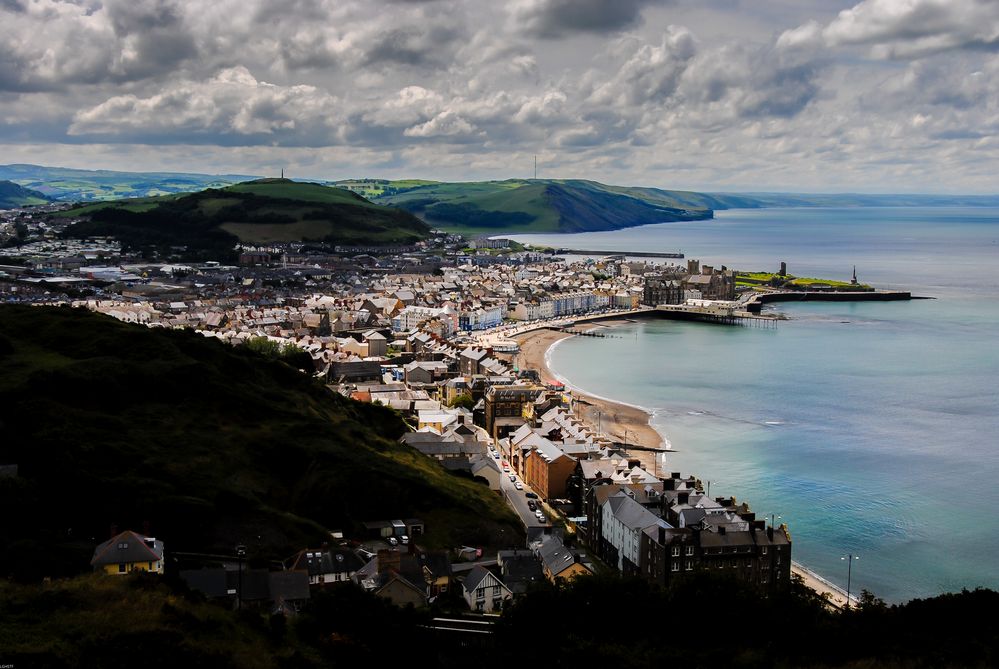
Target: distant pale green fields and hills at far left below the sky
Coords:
[(72, 185)]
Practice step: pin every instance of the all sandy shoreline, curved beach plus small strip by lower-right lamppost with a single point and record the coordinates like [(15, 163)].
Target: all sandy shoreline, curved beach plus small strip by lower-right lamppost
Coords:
[(616, 417)]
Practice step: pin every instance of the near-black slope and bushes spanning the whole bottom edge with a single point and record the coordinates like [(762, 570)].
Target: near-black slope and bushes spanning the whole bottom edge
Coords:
[(707, 621)]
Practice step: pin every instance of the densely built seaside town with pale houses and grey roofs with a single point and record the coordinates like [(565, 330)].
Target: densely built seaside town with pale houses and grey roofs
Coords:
[(431, 331)]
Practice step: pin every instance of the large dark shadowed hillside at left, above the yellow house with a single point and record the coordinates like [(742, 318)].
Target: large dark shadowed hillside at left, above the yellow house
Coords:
[(112, 423)]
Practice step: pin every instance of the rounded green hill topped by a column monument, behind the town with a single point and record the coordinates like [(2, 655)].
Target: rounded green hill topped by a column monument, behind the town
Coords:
[(209, 224)]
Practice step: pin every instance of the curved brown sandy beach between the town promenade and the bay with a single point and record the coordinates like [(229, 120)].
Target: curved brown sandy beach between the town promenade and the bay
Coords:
[(620, 422)]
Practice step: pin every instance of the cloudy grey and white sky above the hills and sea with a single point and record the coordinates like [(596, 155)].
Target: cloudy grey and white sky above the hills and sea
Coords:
[(895, 96)]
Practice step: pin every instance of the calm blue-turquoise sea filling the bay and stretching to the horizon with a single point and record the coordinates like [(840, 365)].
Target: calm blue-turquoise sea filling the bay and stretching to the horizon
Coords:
[(870, 428)]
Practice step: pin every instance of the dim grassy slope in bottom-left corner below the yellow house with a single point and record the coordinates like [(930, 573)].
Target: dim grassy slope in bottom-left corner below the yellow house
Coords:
[(87, 621)]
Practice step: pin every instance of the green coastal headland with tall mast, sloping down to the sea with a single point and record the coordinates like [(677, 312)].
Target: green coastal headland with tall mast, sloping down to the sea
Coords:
[(537, 205)]
